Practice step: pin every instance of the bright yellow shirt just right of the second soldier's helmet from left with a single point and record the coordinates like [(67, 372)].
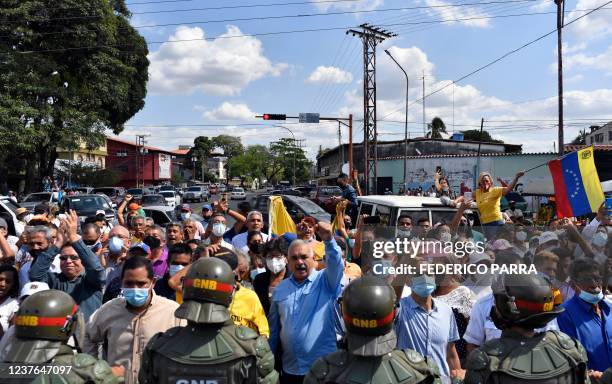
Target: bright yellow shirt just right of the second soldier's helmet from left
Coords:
[(246, 310)]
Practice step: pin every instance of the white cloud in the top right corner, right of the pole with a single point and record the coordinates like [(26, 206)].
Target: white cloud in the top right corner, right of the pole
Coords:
[(597, 25)]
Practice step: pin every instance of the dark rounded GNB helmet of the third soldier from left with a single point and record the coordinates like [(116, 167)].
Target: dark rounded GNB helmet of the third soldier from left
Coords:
[(368, 306)]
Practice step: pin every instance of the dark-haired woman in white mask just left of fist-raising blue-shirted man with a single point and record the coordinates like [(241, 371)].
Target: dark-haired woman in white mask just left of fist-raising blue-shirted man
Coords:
[(276, 271)]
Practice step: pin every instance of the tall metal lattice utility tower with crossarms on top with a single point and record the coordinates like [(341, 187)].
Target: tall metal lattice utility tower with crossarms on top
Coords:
[(370, 36)]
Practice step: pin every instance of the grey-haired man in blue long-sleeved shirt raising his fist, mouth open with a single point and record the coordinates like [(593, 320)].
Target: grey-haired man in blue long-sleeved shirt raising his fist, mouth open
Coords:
[(302, 311)]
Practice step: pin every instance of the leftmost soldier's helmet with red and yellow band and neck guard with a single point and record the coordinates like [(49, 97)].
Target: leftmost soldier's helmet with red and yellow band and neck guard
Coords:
[(44, 321)]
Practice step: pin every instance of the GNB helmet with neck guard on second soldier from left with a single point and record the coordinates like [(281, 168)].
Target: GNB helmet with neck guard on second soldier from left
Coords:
[(207, 291)]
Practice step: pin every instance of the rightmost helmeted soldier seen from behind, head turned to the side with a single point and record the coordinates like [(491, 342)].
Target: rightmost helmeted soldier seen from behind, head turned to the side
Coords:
[(524, 302)]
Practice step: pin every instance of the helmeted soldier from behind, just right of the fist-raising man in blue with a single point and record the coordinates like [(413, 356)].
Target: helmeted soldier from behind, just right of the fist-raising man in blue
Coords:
[(368, 310)]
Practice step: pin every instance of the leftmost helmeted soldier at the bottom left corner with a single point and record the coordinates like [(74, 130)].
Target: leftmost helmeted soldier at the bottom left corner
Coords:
[(44, 323)]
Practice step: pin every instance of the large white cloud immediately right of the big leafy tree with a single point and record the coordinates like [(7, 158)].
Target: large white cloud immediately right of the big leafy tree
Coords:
[(222, 67)]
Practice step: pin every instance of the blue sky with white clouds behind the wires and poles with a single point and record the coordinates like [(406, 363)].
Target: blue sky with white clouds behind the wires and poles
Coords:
[(217, 80)]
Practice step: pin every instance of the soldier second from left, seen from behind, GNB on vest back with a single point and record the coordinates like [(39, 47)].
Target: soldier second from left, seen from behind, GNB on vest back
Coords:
[(210, 347)]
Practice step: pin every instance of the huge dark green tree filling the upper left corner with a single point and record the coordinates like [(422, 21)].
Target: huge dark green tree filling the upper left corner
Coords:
[(69, 70)]
